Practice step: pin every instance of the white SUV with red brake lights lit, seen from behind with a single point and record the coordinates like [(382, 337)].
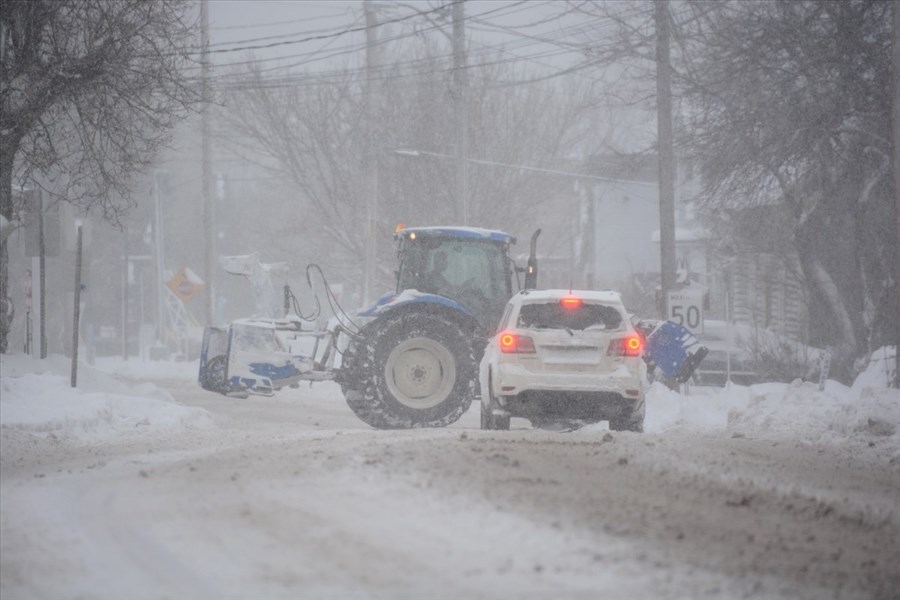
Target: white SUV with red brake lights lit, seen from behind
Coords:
[(564, 357)]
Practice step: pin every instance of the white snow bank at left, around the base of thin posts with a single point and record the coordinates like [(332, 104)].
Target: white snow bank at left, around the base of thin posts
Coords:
[(36, 396)]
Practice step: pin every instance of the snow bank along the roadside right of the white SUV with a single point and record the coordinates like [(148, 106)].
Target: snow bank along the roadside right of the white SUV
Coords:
[(867, 411)]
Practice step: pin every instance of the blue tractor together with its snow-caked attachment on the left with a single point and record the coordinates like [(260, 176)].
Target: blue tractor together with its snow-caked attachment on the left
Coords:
[(409, 360)]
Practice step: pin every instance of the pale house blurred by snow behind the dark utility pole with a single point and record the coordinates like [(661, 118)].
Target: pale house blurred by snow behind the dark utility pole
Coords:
[(619, 249)]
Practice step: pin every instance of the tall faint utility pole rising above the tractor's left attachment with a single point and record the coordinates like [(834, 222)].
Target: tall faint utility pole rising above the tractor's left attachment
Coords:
[(209, 213)]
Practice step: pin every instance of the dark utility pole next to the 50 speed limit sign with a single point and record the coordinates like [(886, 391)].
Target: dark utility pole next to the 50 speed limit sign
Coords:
[(665, 153)]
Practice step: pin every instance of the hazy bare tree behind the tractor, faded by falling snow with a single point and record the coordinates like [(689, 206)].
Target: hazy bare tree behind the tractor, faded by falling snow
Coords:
[(313, 132)]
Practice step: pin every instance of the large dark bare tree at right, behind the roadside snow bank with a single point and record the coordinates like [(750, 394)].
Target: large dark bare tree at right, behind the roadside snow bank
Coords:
[(790, 106)]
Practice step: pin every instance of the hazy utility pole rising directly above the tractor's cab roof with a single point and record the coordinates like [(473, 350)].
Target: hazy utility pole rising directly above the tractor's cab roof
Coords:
[(460, 105)]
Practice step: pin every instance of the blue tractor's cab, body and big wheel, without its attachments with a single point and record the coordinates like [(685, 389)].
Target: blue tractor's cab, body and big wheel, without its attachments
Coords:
[(415, 362)]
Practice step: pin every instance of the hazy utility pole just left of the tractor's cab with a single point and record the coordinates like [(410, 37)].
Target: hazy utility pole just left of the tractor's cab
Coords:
[(369, 231)]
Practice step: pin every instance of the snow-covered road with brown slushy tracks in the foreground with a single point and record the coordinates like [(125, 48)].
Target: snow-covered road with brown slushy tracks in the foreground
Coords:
[(293, 497)]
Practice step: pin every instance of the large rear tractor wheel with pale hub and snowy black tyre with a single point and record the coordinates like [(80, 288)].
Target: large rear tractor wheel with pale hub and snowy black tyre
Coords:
[(415, 370)]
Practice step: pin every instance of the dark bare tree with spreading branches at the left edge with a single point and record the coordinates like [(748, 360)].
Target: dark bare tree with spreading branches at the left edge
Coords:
[(89, 91)]
